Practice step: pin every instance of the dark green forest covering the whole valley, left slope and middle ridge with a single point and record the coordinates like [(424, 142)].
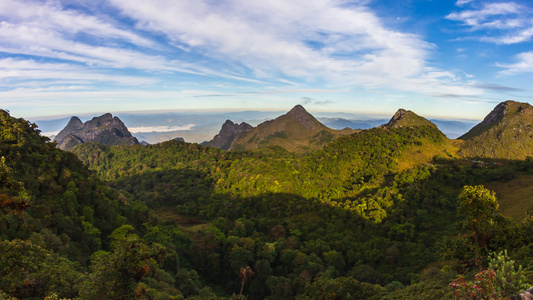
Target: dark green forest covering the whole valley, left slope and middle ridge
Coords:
[(368, 216)]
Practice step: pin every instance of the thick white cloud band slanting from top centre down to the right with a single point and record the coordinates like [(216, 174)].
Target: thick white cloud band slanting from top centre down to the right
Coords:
[(310, 40)]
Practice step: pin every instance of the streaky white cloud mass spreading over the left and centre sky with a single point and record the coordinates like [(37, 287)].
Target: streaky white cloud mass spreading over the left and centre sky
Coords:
[(295, 42)]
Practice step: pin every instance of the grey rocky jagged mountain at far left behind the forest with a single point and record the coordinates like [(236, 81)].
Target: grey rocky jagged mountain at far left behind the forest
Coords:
[(105, 129)]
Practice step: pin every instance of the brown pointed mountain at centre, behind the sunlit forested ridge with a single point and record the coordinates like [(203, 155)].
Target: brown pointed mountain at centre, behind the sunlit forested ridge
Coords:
[(296, 131)]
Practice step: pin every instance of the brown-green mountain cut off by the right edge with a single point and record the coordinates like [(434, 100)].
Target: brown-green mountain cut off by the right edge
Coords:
[(506, 133)]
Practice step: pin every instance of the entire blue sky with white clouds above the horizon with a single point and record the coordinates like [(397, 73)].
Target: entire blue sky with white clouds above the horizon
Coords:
[(439, 58)]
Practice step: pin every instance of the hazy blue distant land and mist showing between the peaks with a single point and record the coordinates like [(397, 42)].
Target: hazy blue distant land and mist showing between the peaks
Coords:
[(197, 127)]
